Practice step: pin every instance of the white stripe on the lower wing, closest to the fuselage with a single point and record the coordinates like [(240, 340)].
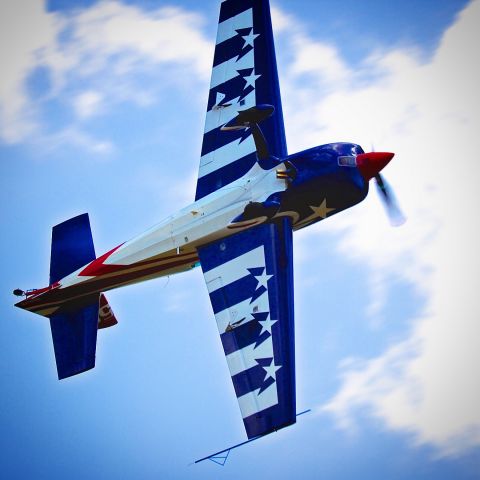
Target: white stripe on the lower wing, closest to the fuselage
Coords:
[(235, 269)]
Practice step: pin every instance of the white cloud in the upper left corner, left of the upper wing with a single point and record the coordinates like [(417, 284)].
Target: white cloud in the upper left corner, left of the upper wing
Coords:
[(105, 49)]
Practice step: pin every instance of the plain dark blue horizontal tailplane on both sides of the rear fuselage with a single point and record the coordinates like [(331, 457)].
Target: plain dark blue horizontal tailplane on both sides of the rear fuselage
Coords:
[(74, 330)]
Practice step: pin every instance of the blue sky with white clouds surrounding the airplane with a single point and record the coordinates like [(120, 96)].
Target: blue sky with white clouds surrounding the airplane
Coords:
[(102, 107)]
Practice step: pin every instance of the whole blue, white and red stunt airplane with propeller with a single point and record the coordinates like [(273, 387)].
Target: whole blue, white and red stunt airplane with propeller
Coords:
[(251, 195)]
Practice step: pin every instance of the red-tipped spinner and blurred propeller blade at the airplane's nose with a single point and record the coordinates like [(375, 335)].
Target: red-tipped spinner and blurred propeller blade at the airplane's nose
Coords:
[(370, 165)]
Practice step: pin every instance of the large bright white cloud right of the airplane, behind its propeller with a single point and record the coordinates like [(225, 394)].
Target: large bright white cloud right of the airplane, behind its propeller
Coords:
[(429, 114)]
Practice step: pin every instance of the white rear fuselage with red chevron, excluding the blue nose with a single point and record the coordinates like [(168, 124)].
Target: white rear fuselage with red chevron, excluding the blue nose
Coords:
[(167, 248)]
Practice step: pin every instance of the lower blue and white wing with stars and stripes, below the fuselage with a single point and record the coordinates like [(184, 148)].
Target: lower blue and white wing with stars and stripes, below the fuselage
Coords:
[(249, 278)]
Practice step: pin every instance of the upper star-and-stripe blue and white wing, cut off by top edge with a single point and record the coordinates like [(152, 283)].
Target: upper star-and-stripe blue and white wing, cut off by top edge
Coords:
[(244, 74)]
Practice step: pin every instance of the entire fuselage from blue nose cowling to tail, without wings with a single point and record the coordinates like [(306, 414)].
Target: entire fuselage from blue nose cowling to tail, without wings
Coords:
[(318, 185)]
